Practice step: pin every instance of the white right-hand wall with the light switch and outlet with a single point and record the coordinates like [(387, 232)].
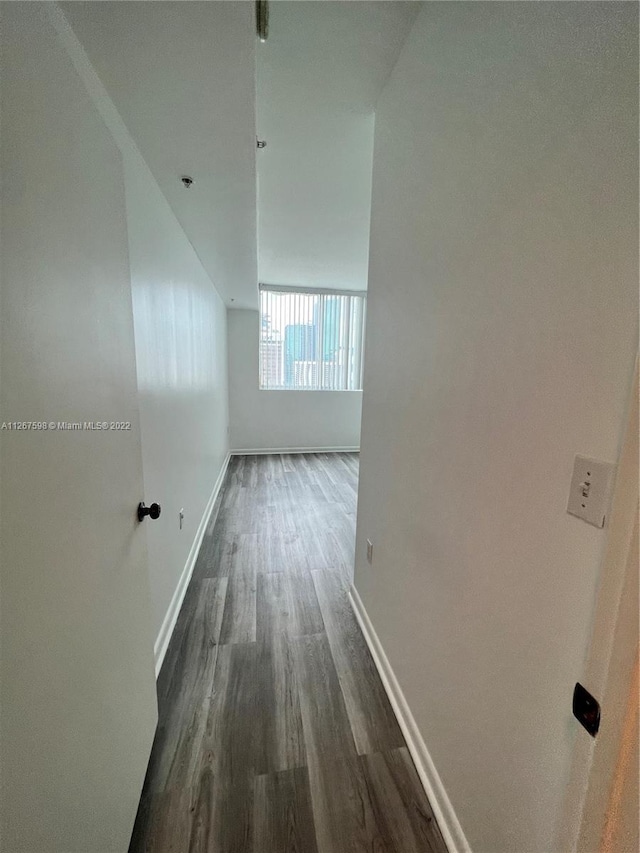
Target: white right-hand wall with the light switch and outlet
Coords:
[(505, 214)]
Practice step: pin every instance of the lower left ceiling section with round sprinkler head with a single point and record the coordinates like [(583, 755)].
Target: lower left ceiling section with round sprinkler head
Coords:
[(182, 76)]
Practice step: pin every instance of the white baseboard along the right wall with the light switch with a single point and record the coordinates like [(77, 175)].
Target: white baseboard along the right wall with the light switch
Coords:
[(443, 810)]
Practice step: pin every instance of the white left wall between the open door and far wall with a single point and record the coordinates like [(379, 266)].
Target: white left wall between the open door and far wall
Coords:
[(181, 355)]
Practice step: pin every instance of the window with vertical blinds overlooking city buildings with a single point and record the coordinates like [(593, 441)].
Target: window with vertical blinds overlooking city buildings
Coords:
[(311, 340)]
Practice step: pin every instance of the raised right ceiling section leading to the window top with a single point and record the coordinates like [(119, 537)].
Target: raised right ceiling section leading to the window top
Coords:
[(319, 75)]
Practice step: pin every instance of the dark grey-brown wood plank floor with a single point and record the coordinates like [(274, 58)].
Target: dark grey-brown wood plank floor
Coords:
[(275, 733)]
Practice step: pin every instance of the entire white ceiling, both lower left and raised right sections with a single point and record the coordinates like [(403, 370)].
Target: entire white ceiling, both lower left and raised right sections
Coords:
[(183, 77)]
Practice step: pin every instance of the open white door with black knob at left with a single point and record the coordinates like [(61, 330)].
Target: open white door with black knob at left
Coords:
[(77, 696)]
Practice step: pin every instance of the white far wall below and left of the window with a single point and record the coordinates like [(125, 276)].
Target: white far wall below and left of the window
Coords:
[(282, 420)]
